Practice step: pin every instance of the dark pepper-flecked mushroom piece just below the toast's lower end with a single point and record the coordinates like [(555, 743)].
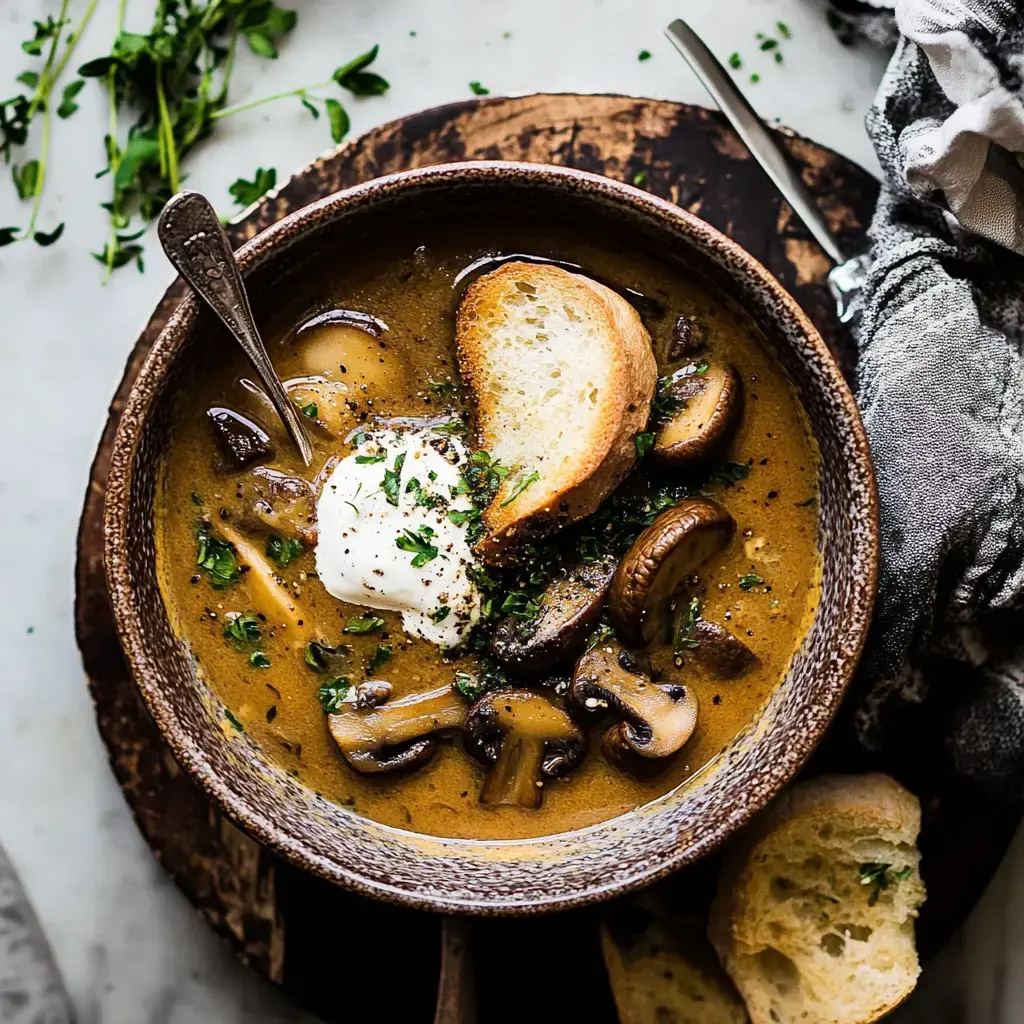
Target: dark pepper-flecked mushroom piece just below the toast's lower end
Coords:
[(570, 609)]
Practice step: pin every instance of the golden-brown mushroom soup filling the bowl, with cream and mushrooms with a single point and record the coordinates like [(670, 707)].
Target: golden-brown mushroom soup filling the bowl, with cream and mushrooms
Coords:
[(346, 615)]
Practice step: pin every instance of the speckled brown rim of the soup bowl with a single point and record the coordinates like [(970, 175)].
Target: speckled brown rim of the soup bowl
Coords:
[(146, 670)]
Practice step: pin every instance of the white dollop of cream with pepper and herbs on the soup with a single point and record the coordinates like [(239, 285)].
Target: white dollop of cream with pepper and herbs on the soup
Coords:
[(388, 541)]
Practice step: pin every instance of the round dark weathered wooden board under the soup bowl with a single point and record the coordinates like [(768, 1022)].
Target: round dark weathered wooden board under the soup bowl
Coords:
[(336, 954)]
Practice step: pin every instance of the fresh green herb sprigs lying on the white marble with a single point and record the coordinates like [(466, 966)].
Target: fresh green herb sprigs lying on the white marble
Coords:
[(174, 84)]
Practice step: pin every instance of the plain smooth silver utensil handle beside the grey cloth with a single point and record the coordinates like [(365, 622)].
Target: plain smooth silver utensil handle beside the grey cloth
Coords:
[(848, 277)]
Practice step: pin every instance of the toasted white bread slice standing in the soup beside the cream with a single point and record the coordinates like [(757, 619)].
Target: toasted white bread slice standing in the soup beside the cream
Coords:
[(563, 374)]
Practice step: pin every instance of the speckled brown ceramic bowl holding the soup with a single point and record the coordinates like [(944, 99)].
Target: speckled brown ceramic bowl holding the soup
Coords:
[(554, 872)]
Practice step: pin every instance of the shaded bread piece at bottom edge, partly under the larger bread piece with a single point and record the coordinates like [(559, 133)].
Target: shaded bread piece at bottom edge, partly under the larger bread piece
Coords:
[(662, 976)]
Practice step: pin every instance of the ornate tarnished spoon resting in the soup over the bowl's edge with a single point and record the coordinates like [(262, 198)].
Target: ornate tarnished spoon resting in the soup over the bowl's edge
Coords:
[(195, 242)]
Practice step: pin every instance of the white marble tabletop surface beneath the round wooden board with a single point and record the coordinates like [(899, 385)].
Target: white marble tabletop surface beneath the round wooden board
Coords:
[(133, 950)]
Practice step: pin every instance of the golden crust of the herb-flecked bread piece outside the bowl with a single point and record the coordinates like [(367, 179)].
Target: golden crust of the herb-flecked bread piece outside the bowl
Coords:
[(871, 802)]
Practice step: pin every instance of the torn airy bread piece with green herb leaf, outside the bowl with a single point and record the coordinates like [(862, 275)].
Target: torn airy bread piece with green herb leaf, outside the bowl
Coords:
[(809, 922)]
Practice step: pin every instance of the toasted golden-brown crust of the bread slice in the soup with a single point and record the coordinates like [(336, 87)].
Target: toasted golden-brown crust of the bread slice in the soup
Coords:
[(625, 408)]
